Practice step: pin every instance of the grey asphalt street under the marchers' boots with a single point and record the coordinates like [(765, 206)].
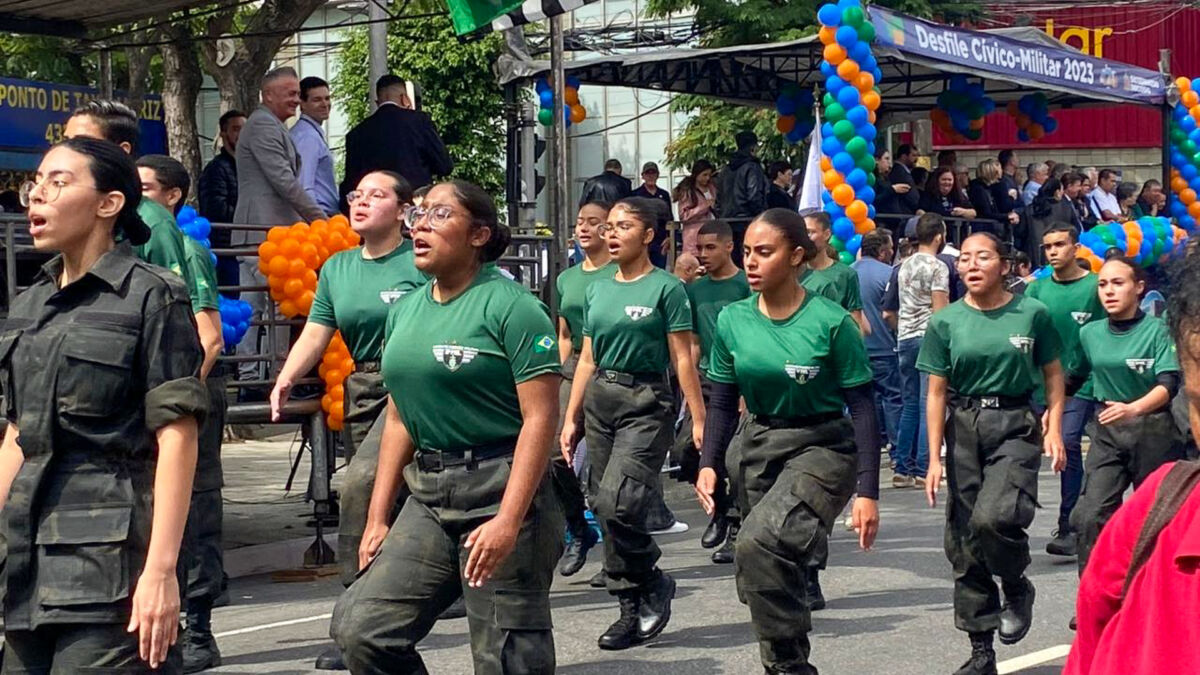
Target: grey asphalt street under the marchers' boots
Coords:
[(889, 611)]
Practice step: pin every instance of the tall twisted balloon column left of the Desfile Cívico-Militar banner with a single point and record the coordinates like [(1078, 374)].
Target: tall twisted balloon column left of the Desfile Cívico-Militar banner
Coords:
[(851, 104)]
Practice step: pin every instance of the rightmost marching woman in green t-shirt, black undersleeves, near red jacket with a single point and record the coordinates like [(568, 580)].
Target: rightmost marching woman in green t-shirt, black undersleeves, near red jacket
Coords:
[(1135, 374)]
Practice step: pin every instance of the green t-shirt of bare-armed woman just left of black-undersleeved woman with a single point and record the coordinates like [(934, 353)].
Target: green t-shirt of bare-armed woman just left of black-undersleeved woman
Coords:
[(629, 321)]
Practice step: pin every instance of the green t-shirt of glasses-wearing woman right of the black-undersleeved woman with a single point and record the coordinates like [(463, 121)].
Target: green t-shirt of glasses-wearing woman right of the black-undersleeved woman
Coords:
[(991, 354)]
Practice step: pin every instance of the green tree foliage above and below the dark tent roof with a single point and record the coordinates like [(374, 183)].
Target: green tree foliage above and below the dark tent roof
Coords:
[(725, 23)]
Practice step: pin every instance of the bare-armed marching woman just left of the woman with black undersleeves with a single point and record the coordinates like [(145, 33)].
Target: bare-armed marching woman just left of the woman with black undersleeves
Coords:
[(635, 326)]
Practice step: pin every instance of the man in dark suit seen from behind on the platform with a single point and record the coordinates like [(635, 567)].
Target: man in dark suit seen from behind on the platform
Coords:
[(397, 139)]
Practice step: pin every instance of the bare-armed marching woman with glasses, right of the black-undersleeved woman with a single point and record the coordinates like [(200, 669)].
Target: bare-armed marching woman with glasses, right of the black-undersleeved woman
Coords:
[(983, 356)]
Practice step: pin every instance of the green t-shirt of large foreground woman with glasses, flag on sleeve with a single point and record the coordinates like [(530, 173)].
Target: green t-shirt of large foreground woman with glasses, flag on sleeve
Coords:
[(453, 369)]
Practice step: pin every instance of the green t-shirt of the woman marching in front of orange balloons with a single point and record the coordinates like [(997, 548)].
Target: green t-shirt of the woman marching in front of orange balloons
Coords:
[(355, 295)]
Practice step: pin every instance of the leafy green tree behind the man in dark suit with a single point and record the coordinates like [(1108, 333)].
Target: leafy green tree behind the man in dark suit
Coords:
[(460, 91)]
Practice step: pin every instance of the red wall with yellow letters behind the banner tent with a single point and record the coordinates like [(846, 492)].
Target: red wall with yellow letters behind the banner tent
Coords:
[(1131, 33)]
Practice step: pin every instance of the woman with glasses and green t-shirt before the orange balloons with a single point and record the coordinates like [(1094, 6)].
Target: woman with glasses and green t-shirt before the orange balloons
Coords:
[(356, 290)]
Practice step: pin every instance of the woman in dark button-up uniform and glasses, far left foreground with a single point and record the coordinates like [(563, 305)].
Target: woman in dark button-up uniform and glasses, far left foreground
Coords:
[(100, 365)]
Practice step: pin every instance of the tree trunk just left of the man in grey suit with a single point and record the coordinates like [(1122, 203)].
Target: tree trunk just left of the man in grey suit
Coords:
[(182, 88)]
